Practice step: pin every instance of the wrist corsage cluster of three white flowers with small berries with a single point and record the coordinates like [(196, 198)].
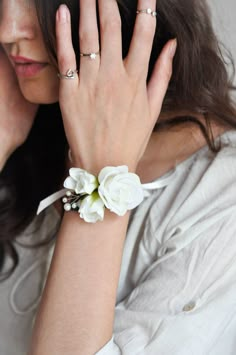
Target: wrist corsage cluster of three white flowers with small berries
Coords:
[(115, 189)]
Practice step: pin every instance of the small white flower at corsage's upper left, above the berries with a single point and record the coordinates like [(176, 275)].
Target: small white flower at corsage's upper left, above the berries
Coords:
[(81, 181)]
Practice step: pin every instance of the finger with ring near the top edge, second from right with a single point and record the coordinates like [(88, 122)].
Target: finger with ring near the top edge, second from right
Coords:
[(138, 57)]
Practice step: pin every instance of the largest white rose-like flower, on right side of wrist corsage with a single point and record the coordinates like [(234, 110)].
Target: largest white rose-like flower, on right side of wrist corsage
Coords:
[(119, 189)]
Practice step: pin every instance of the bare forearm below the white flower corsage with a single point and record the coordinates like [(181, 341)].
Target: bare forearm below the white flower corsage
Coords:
[(77, 309)]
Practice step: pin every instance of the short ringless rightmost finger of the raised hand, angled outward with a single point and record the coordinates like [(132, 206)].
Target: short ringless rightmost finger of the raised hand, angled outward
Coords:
[(160, 78)]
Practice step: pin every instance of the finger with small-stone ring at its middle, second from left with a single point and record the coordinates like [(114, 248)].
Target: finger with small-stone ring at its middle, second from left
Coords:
[(89, 40)]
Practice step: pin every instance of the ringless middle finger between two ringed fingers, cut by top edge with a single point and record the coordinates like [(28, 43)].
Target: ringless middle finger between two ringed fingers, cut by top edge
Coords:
[(111, 39)]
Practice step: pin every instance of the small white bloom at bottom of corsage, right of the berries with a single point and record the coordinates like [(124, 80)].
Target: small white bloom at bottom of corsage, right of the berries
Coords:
[(92, 208)]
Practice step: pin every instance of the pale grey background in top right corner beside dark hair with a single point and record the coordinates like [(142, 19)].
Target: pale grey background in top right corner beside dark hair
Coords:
[(224, 19)]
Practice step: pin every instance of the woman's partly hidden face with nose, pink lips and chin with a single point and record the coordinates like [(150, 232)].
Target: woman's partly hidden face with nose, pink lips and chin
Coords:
[(22, 40)]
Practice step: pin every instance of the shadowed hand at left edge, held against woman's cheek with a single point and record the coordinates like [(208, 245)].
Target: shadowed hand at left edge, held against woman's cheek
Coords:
[(16, 114)]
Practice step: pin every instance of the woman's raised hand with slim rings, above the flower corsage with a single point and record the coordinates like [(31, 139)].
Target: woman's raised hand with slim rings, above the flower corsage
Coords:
[(108, 110)]
